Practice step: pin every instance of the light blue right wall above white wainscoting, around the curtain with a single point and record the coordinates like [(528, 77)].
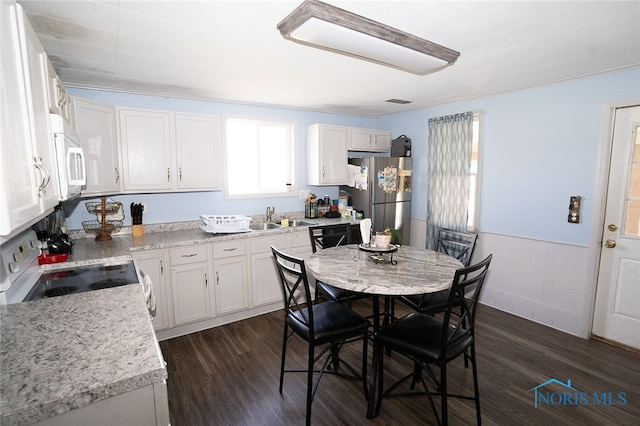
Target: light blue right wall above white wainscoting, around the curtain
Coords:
[(538, 147)]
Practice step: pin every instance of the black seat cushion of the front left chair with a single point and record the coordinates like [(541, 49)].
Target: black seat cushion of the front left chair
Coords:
[(332, 321)]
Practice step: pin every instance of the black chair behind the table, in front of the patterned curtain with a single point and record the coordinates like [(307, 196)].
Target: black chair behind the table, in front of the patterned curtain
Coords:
[(458, 244)]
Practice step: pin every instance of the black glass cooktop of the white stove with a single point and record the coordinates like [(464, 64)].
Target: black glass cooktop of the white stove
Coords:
[(78, 279)]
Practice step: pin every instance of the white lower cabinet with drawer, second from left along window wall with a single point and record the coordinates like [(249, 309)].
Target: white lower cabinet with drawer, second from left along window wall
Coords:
[(190, 282)]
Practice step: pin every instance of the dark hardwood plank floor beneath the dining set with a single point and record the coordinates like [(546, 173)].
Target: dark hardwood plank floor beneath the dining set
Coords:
[(229, 376)]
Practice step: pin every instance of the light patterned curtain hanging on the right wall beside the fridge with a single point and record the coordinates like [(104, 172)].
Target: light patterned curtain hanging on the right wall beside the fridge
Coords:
[(449, 162)]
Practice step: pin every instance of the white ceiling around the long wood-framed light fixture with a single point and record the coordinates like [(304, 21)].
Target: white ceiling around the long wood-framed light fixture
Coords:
[(232, 51)]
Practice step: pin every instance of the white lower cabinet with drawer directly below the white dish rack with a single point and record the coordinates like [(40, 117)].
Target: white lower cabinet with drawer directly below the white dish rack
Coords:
[(230, 271)]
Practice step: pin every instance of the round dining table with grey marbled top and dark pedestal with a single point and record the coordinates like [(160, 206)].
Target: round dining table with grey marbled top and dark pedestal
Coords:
[(401, 271)]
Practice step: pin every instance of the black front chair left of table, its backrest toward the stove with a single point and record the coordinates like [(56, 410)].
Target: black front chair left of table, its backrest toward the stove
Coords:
[(327, 324)]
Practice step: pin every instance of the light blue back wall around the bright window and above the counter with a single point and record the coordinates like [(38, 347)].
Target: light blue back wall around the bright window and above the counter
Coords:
[(177, 207)]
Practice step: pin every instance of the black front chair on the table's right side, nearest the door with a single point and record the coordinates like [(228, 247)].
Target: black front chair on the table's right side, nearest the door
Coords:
[(433, 341)]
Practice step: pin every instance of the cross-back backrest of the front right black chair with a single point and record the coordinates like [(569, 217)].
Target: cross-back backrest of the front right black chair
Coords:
[(458, 329)]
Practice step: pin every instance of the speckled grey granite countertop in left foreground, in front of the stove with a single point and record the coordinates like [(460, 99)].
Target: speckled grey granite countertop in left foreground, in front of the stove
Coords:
[(63, 353)]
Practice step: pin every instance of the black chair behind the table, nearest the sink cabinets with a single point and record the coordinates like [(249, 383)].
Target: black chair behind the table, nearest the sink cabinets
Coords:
[(324, 236)]
